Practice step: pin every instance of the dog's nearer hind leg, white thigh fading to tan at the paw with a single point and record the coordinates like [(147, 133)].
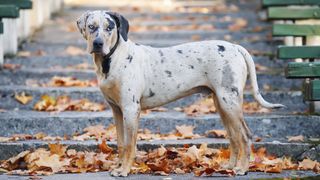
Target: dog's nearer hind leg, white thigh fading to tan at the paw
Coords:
[(230, 109)]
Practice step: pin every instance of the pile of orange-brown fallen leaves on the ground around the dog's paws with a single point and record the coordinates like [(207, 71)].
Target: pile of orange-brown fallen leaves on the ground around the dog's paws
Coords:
[(163, 161)]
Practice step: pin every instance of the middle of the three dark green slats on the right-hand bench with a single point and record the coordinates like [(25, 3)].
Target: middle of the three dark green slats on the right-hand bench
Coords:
[(302, 70)]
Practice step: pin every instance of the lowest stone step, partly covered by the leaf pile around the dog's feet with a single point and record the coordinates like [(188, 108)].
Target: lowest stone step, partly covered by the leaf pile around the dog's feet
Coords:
[(294, 150)]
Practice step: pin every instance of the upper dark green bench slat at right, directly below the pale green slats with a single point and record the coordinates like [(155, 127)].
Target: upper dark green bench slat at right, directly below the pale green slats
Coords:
[(293, 52)]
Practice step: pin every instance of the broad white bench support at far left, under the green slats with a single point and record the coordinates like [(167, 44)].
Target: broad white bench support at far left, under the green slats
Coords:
[(10, 36)]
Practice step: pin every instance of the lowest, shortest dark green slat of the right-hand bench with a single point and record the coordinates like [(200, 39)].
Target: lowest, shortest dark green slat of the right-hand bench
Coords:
[(312, 91)]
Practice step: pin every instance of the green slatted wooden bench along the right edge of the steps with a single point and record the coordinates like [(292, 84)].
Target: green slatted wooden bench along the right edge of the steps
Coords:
[(308, 70)]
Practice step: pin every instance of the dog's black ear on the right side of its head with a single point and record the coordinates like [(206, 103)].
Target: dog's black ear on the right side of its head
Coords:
[(122, 24)]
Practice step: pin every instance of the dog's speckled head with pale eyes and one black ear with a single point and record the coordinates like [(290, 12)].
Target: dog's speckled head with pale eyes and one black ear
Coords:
[(101, 29)]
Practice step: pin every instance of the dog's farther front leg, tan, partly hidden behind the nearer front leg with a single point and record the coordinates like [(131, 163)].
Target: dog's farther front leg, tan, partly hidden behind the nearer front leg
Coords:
[(118, 118)]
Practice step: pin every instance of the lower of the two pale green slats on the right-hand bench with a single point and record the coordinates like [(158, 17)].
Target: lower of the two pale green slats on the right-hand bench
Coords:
[(295, 30)]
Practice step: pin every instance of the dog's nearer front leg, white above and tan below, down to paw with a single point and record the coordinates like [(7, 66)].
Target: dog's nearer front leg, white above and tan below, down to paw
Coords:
[(131, 115)]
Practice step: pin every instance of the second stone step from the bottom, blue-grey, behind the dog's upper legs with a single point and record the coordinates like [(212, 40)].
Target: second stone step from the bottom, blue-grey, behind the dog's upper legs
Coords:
[(67, 123)]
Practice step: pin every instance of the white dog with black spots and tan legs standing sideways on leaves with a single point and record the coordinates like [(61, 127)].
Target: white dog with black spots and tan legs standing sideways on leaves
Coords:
[(134, 77)]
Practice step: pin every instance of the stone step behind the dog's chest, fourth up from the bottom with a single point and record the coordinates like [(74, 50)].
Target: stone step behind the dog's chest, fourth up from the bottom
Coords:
[(20, 77)]
